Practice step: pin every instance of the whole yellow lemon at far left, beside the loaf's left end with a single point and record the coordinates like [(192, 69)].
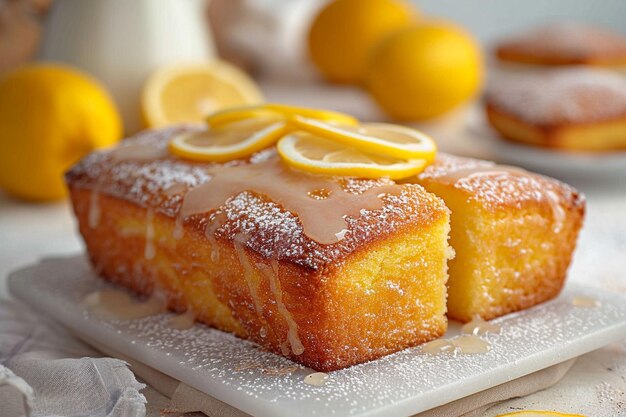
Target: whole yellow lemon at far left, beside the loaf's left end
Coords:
[(50, 117)]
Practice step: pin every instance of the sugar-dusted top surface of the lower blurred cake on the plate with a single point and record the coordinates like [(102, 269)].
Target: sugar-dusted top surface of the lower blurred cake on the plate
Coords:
[(575, 96)]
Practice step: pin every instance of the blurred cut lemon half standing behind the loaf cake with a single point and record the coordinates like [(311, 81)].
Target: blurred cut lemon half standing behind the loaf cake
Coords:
[(187, 93)]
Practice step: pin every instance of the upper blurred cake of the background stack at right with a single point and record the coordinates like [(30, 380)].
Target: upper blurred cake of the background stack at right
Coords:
[(564, 44)]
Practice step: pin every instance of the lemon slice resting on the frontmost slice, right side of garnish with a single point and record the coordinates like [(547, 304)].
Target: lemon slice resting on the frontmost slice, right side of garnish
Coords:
[(380, 138)]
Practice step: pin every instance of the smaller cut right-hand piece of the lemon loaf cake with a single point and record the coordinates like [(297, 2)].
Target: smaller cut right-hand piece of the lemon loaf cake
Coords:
[(513, 232)]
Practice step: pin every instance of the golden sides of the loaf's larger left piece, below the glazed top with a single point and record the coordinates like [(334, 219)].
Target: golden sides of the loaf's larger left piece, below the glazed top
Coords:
[(342, 315)]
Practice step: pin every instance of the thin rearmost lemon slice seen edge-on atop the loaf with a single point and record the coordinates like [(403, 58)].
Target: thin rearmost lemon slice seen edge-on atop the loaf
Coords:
[(277, 111)]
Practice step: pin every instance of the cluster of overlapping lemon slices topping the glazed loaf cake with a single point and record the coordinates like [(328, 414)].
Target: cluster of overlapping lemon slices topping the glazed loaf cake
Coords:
[(315, 141)]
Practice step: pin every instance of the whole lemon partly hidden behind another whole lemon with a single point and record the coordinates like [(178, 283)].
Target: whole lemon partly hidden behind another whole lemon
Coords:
[(344, 32)]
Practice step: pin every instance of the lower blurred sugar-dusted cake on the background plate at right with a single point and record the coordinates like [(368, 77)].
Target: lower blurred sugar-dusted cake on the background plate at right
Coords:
[(574, 110)]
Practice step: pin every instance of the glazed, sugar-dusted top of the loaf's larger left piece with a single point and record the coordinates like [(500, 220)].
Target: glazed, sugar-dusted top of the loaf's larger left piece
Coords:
[(259, 211)]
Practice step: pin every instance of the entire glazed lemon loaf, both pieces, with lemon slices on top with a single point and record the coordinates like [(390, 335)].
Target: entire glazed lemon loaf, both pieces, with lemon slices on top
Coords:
[(308, 247)]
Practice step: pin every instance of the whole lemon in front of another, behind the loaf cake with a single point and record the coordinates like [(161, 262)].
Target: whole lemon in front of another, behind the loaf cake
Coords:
[(425, 71)]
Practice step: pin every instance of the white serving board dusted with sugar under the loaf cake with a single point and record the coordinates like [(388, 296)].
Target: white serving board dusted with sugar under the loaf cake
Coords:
[(408, 382)]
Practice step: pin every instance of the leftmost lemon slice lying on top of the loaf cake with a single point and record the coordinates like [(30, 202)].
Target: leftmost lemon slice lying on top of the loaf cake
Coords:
[(238, 140)]
